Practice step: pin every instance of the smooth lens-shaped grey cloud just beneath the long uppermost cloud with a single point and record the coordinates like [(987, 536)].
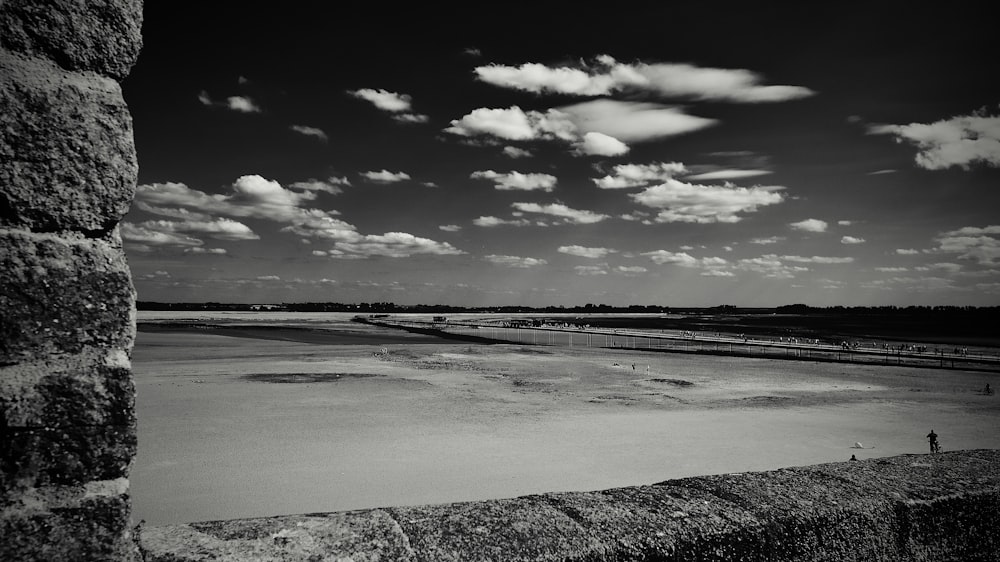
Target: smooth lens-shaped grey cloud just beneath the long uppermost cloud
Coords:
[(632, 121)]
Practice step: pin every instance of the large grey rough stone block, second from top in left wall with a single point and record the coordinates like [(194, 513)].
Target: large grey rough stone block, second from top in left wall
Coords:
[(69, 160)]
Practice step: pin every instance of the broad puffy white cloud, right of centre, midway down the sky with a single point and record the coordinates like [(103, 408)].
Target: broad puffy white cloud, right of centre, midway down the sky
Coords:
[(685, 202)]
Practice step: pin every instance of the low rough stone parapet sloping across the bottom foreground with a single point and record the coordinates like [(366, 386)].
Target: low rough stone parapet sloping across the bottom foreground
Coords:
[(910, 507)]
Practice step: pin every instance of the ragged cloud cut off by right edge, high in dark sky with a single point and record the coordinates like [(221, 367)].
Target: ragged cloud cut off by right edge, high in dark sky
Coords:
[(960, 141)]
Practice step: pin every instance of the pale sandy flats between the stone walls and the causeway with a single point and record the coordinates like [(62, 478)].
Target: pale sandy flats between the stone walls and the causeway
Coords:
[(280, 420)]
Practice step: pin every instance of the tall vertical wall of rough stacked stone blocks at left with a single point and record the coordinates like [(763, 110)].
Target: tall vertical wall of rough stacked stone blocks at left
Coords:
[(67, 322)]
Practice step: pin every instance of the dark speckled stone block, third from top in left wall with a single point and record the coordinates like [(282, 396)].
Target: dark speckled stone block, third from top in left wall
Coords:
[(61, 295)]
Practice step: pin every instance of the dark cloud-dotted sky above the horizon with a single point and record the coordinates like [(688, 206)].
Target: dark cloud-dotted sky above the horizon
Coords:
[(674, 154)]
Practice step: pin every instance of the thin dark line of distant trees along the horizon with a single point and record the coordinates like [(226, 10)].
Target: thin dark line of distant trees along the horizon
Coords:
[(388, 307)]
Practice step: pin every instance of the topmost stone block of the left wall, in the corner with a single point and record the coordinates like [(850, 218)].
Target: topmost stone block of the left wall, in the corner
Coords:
[(99, 35)]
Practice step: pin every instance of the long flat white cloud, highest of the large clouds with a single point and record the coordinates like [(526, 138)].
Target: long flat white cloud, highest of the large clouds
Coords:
[(604, 76)]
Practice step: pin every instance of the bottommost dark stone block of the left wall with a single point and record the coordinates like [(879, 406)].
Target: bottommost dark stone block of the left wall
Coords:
[(96, 529)]
